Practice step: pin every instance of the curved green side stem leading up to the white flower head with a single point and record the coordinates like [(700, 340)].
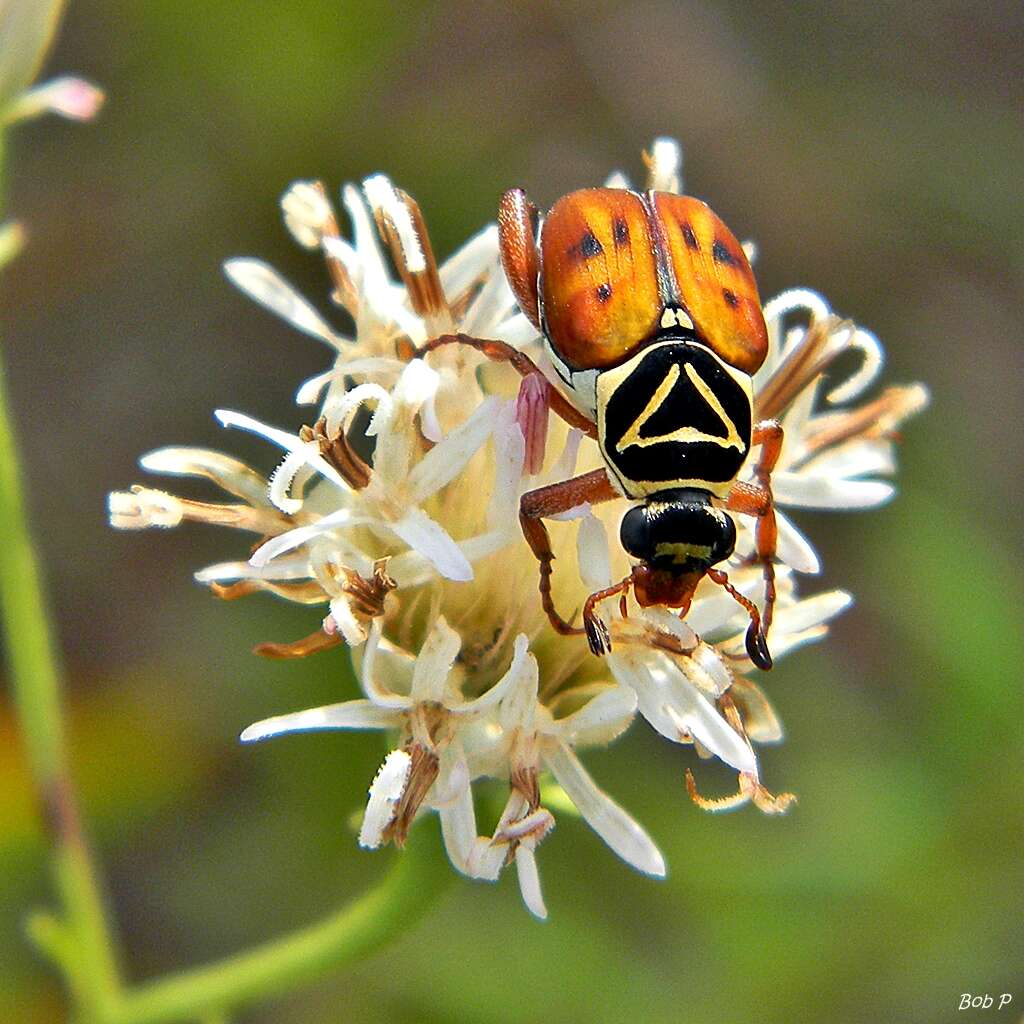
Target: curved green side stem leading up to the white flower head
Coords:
[(418, 876)]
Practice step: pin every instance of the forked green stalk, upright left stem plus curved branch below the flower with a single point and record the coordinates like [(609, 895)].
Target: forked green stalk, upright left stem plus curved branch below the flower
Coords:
[(78, 937)]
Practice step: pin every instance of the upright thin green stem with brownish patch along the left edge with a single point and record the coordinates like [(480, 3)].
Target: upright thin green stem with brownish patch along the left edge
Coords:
[(36, 687)]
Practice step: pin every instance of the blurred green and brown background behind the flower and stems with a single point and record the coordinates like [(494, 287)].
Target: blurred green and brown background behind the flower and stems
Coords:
[(874, 152)]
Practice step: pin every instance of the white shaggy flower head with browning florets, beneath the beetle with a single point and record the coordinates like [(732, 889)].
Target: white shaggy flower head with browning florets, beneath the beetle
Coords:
[(398, 514)]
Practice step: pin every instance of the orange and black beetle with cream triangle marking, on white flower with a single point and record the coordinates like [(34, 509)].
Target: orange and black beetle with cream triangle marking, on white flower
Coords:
[(651, 318)]
